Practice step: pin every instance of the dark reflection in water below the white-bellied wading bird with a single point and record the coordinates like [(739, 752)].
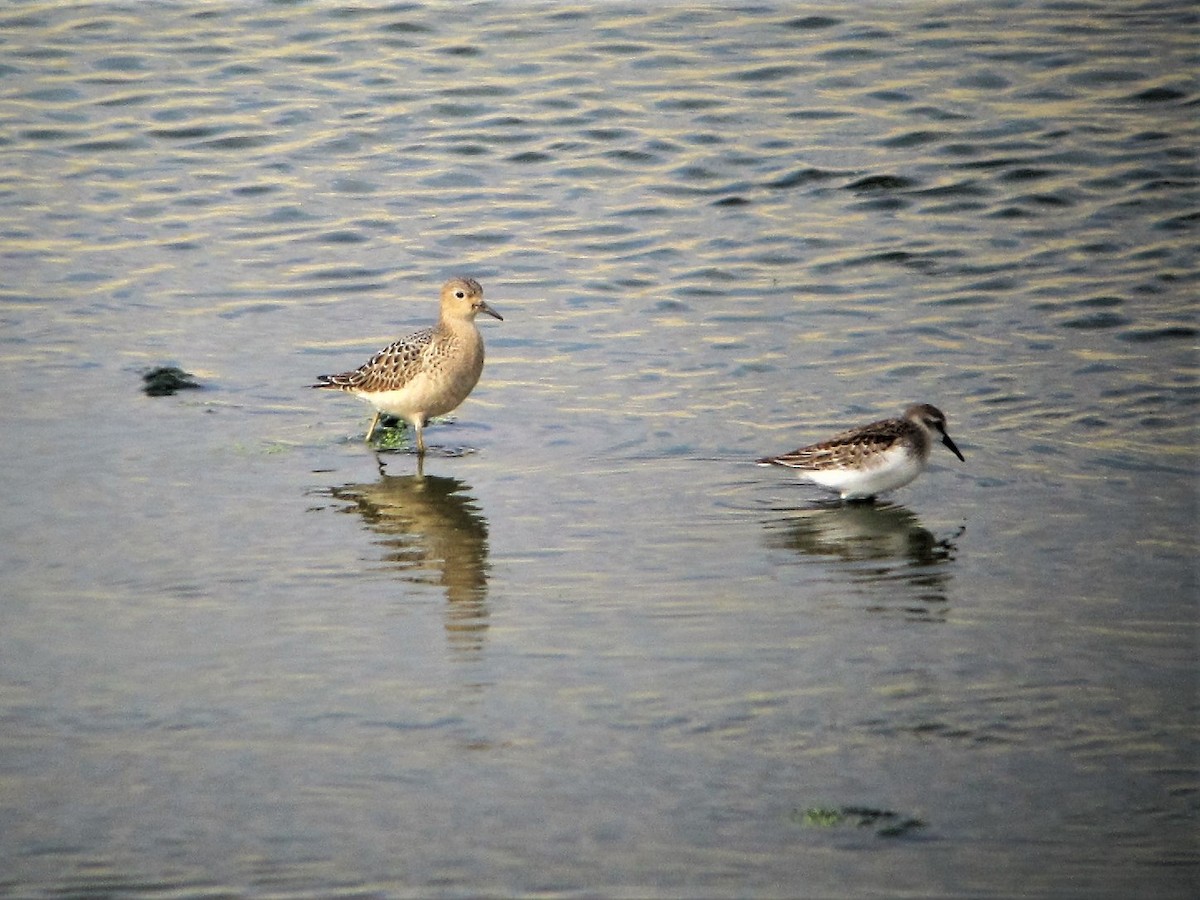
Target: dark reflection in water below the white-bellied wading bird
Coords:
[(885, 545)]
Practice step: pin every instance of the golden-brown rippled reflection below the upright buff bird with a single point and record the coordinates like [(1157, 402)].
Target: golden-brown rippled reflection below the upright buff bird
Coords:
[(434, 532)]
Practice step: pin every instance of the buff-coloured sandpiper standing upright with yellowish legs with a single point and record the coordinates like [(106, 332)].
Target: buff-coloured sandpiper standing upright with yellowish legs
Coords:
[(428, 374)]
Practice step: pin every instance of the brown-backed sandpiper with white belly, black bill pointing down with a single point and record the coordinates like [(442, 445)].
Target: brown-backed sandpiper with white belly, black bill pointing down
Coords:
[(881, 457)]
